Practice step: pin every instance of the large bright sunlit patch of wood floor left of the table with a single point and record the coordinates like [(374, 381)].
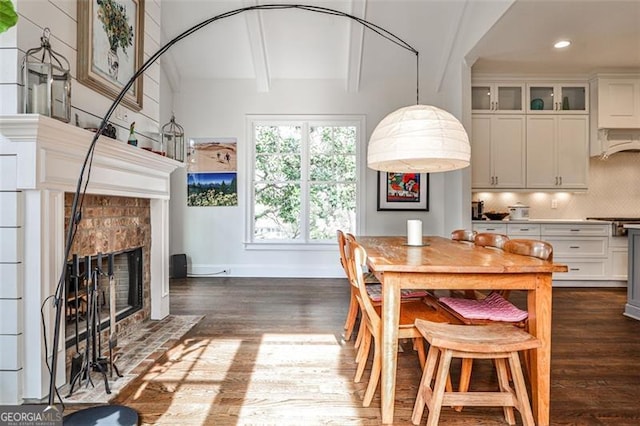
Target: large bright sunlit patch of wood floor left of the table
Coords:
[(252, 378)]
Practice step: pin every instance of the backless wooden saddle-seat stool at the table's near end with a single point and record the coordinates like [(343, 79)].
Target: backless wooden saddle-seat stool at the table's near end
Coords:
[(499, 342)]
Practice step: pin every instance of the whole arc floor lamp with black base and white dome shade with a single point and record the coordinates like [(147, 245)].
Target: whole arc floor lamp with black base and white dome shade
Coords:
[(413, 139)]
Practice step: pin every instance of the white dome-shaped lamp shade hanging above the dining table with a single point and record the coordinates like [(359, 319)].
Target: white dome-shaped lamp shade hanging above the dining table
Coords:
[(419, 139)]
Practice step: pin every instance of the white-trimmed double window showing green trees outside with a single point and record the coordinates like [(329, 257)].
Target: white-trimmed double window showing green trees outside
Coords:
[(304, 178)]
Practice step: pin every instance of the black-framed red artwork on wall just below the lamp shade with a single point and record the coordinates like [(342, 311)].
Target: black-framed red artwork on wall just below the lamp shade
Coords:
[(403, 191)]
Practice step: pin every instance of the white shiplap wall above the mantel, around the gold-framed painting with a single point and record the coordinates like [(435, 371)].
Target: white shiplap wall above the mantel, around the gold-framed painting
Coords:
[(60, 16)]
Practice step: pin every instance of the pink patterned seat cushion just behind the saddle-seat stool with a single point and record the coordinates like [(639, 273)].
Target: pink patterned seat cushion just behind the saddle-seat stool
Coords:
[(494, 307)]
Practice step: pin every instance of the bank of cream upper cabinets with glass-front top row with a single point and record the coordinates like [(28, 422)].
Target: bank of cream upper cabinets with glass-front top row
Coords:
[(529, 135)]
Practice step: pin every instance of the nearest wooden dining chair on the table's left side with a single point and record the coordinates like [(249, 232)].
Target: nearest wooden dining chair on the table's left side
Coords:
[(409, 311)]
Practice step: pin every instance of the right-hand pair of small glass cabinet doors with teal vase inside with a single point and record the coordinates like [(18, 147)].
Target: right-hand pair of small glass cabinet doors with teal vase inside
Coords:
[(554, 98)]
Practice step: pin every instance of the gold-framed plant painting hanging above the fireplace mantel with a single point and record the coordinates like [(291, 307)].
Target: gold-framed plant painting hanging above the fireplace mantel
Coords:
[(111, 47)]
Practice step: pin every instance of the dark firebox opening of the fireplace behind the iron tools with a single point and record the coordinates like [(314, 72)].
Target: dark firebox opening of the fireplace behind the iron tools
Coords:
[(127, 274)]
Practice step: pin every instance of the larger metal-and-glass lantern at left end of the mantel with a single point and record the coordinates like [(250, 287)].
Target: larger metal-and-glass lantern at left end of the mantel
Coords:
[(47, 82)]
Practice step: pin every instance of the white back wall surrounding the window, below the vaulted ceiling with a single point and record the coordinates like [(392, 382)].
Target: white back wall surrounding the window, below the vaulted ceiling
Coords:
[(213, 237)]
